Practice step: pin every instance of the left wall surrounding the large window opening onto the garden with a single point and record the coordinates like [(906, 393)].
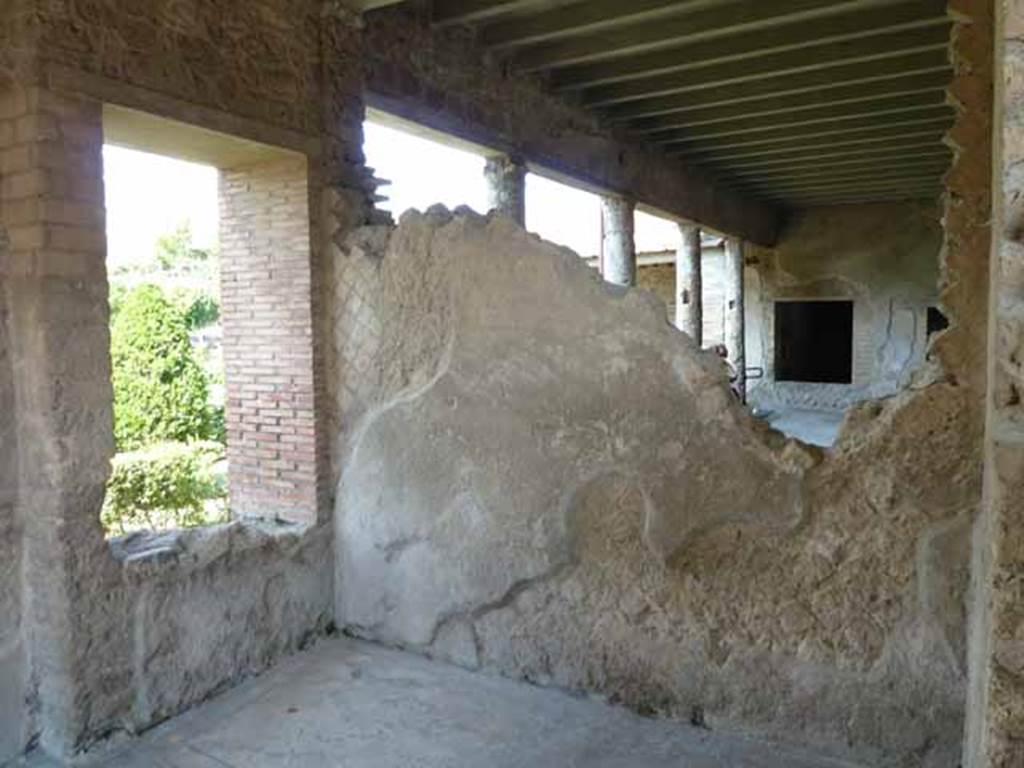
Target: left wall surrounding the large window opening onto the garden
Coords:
[(121, 635)]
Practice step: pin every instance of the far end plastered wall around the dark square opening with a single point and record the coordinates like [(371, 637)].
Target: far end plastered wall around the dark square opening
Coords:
[(885, 259)]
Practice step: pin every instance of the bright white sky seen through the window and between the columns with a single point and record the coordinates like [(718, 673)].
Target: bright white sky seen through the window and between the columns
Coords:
[(149, 196)]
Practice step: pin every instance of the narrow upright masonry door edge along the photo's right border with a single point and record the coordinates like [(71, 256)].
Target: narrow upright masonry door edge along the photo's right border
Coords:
[(996, 724)]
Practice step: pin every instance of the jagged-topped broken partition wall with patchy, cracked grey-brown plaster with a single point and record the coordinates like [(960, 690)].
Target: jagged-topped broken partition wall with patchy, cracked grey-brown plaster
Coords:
[(540, 488)]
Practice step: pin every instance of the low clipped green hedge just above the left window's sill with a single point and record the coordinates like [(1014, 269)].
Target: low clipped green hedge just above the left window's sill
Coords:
[(166, 486)]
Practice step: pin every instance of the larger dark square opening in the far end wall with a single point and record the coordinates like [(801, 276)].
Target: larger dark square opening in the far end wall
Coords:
[(815, 342)]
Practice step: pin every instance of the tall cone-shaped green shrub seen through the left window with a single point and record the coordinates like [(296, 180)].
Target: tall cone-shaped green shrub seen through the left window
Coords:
[(161, 392)]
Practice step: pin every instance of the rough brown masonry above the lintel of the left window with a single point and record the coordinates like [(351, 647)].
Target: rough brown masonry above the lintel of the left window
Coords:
[(259, 60)]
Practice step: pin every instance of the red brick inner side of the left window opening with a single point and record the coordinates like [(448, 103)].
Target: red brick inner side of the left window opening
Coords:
[(266, 300)]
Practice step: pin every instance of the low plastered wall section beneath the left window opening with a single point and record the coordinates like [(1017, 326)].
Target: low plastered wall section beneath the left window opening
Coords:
[(208, 608)]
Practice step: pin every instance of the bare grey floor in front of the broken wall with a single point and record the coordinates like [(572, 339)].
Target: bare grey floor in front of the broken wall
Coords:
[(353, 705)]
